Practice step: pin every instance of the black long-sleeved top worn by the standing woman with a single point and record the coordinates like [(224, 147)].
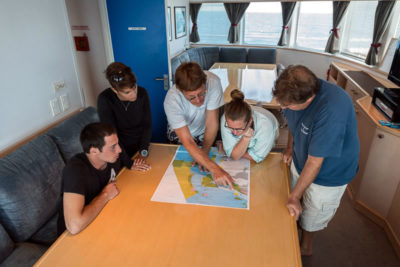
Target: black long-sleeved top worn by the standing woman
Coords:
[(131, 119)]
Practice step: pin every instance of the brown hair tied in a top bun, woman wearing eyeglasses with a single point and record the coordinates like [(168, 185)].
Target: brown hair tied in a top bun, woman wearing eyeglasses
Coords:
[(237, 109)]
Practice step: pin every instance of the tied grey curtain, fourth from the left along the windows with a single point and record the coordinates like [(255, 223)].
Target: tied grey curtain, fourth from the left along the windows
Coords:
[(339, 9)]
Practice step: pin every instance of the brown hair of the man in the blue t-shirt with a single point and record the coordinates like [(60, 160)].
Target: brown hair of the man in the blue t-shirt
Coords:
[(295, 85)]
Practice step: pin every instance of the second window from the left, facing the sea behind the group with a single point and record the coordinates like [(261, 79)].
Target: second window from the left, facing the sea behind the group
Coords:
[(262, 23)]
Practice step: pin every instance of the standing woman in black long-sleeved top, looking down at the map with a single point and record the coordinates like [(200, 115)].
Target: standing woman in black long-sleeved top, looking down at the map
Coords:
[(126, 106)]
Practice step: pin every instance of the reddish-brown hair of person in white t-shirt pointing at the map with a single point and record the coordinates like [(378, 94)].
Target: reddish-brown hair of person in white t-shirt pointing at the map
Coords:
[(189, 76)]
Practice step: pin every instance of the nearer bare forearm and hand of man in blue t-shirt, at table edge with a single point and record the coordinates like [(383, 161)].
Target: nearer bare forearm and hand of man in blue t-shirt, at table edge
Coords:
[(307, 176)]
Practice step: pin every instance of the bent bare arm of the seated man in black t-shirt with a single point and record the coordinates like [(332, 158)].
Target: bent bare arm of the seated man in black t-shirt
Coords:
[(77, 215)]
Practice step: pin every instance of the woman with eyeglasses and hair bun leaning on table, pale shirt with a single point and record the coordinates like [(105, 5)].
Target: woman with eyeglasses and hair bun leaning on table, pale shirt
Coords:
[(247, 132)]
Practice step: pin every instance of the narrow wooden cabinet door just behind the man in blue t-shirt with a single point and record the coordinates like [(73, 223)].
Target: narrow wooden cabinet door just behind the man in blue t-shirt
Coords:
[(366, 132)]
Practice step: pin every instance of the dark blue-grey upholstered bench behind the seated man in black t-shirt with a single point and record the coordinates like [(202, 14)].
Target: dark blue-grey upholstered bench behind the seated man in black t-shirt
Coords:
[(30, 190)]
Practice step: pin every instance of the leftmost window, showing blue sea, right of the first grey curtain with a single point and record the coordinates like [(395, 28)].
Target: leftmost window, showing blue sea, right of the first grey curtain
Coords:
[(213, 24)]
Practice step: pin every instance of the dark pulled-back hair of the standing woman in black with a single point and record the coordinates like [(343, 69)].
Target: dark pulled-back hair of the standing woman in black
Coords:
[(120, 76)]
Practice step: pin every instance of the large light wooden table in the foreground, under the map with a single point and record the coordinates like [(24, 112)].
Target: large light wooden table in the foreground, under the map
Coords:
[(133, 231)]
